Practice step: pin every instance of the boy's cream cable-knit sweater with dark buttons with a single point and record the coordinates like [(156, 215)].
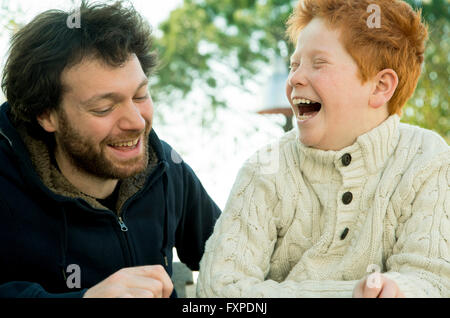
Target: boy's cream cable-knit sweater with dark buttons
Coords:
[(283, 231)]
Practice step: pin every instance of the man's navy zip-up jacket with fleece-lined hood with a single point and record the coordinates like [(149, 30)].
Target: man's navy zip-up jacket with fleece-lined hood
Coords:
[(44, 234)]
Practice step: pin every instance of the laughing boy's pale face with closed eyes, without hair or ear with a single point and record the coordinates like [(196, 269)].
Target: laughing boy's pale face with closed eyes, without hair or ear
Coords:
[(323, 71)]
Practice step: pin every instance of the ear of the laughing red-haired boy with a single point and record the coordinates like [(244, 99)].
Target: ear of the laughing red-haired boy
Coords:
[(385, 83)]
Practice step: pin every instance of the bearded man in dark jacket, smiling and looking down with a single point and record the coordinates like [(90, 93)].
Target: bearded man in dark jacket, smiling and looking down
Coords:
[(90, 201)]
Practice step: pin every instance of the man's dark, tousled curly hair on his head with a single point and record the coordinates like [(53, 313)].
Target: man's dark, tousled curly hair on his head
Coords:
[(42, 49)]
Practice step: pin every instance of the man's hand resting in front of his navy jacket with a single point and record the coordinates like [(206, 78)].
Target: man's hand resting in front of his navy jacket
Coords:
[(143, 282)]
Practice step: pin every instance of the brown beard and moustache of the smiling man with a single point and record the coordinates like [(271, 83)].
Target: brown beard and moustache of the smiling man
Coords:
[(85, 156)]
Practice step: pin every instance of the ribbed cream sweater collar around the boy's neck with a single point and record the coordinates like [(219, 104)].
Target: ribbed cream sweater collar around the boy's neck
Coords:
[(369, 152)]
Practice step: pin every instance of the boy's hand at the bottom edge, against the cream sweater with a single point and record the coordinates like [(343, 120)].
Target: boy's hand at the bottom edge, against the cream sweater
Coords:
[(377, 286)]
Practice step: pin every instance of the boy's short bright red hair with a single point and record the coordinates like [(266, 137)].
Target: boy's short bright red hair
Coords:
[(398, 44)]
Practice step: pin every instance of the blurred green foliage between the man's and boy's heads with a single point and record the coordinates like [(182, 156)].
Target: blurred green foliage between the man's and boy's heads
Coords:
[(203, 36)]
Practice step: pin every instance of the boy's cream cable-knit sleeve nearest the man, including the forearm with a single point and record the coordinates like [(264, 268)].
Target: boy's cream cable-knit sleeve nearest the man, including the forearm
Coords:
[(237, 256)]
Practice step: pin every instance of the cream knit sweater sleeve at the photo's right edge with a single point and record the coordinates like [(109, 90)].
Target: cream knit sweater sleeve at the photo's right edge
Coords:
[(420, 262)]
